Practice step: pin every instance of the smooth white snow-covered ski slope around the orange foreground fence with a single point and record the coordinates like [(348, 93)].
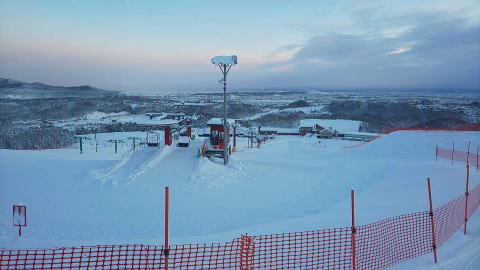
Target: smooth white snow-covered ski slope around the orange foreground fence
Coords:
[(291, 184)]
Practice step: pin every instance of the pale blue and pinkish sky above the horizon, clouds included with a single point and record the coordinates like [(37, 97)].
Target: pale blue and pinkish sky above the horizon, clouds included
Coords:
[(158, 46)]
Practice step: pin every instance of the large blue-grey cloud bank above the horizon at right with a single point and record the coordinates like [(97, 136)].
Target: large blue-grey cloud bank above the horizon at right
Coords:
[(432, 52)]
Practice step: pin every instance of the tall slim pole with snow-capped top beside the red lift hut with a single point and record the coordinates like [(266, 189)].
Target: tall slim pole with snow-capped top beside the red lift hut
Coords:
[(225, 63)]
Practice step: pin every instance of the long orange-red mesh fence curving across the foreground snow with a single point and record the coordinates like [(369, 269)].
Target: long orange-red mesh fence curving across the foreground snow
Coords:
[(373, 246)]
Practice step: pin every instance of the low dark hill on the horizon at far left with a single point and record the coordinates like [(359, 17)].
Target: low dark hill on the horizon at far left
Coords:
[(22, 90)]
